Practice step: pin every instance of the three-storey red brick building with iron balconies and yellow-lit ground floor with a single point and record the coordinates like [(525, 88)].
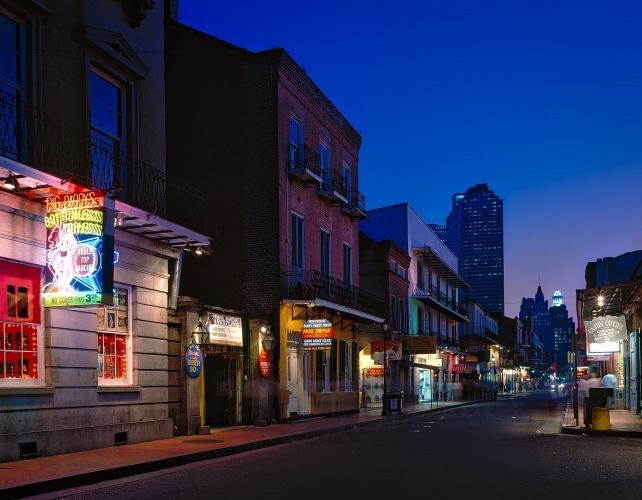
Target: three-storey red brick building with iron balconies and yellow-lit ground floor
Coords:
[(280, 163)]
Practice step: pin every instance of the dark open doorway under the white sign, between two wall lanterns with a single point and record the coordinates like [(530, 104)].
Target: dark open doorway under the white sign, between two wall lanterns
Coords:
[(223, 396)]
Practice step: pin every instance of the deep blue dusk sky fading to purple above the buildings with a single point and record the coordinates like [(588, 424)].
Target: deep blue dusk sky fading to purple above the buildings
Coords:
[(541, 99)]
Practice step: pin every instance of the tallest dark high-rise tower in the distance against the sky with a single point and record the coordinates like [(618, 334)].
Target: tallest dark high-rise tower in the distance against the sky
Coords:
[(475, 234)]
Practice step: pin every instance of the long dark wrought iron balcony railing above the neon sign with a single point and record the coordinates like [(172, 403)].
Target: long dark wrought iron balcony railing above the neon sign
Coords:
[(43, 142)]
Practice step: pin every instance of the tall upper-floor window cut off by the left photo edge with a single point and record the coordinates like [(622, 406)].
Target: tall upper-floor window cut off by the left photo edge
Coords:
[(13, 86)]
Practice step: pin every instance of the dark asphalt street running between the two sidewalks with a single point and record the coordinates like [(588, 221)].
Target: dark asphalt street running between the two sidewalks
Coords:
[(505, 449)]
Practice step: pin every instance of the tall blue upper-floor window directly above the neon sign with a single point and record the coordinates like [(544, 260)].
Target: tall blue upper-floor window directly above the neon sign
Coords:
[(108, 130)]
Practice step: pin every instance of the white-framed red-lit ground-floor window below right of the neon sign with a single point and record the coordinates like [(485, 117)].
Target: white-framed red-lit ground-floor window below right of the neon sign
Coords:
[(114, 341)]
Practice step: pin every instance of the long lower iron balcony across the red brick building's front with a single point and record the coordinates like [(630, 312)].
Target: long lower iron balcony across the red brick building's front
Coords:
[(312, 285)]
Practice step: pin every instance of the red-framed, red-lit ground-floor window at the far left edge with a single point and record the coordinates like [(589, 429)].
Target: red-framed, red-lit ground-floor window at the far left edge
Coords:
[(20, 353)]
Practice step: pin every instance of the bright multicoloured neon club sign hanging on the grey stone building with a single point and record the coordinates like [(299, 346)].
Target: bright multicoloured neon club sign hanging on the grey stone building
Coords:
[(79, 255)]
